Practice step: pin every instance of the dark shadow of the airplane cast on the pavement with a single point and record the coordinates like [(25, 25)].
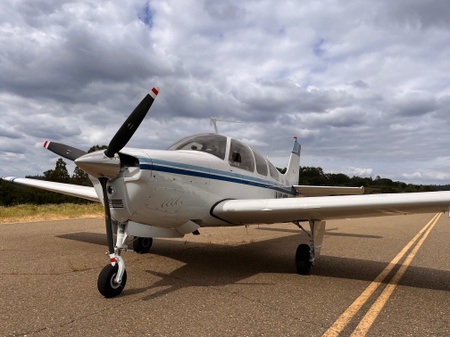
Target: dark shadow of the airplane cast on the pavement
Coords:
[(212, 264)]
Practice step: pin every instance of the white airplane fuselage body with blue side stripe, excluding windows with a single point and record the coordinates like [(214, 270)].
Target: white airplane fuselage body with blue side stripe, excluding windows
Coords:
[(172, 187)]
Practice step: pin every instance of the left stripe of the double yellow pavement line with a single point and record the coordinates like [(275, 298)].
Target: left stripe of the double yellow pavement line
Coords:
[(340, 324)]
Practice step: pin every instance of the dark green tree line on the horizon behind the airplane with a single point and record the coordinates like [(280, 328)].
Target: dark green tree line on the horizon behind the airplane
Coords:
[(13, 194)]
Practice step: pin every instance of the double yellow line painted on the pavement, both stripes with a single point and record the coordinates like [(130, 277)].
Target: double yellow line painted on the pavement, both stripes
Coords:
[(367, 321)]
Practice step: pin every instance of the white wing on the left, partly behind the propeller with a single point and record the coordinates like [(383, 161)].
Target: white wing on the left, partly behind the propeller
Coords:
[(84, 192)]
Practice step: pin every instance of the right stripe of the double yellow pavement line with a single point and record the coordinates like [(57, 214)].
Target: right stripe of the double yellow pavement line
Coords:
[(367, 321)]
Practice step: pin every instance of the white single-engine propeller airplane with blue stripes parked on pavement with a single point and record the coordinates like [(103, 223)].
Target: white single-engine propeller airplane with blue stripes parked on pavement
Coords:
[(209, 180)]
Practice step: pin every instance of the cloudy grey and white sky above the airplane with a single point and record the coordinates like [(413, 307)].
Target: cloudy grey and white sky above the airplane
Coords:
[(364, 85)]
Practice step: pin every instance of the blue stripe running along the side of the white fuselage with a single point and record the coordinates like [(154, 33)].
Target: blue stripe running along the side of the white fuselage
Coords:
[(204, 172)]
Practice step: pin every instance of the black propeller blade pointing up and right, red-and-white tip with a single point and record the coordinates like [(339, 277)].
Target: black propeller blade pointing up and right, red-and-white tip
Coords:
[(130, 126)]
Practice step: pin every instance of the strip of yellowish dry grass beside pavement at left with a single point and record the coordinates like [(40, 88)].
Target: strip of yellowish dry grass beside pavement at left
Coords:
[(27, 213)]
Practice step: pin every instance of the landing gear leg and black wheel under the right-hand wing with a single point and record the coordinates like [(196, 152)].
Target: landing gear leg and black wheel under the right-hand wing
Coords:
[(306, 254)]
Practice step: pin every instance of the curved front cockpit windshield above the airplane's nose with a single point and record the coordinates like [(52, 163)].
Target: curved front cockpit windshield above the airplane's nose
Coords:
[(210, 143)]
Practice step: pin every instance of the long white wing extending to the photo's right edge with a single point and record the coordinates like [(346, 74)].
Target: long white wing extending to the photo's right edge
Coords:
[(331, 207)]
